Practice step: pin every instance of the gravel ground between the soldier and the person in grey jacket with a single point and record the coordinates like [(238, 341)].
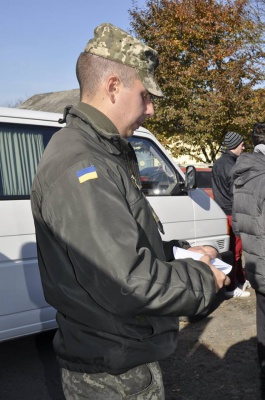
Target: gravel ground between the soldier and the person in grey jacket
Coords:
[(216, 357)]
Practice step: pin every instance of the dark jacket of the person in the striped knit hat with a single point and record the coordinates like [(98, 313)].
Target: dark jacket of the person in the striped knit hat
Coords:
[(221, 181)]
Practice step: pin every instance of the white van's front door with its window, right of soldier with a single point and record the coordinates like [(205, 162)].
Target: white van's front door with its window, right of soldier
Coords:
[(158, 179)]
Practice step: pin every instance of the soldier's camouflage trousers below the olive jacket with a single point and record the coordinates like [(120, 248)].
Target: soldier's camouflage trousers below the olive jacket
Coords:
[(140, 383)]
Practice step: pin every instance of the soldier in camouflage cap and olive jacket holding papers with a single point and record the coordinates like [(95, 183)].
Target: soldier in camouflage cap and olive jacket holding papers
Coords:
[(116, 287)]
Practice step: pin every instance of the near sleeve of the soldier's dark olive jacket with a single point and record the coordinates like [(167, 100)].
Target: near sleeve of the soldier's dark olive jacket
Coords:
[(110, 239)]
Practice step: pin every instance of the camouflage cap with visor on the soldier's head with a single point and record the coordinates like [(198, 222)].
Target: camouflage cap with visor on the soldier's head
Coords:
[(117, 45)]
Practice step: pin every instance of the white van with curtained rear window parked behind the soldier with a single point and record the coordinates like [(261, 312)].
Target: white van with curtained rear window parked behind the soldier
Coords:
[(192, 215)]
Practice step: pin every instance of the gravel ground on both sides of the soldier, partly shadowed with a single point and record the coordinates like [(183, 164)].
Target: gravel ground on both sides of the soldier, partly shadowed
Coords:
[(215, 359)]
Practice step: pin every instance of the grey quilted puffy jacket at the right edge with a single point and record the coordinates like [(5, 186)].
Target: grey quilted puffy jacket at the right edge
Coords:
[(249, 213)]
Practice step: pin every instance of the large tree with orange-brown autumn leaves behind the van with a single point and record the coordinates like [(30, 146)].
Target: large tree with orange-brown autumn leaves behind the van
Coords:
[(211, 55)]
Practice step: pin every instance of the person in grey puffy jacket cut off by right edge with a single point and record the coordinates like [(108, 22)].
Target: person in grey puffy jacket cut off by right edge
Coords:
[(249, 223)]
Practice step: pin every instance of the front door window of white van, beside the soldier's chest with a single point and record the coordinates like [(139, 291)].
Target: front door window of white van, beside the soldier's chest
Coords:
[(158, 177)]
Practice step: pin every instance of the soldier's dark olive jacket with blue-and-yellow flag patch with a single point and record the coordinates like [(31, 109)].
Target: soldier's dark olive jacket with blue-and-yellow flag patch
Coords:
[(101, 256)]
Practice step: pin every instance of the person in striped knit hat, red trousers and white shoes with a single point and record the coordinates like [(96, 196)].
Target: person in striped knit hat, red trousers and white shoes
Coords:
[(222, 185)]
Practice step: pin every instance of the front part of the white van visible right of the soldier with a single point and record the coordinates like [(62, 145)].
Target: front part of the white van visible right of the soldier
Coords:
[(189, 215)]
